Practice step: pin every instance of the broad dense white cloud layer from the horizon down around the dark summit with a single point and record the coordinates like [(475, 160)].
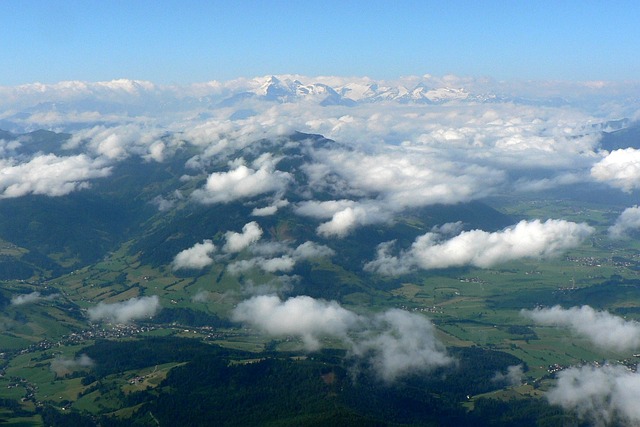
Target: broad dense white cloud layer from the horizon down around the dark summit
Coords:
[(412, 142)]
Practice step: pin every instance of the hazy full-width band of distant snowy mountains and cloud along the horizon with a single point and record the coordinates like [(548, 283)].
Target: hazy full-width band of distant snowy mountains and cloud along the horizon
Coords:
[(72, 105)]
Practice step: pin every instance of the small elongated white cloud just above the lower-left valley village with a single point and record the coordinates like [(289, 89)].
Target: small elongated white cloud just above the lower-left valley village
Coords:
[(125, 311)]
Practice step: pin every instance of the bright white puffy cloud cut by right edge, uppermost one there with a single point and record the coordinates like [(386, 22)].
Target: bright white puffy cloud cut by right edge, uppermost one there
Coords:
[(620, 168)]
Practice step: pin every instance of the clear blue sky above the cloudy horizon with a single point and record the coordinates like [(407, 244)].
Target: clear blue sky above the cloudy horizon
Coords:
[(195, 41)]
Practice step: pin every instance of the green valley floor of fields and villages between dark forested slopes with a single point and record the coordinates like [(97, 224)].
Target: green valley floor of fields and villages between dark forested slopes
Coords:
[(469, 306)]
